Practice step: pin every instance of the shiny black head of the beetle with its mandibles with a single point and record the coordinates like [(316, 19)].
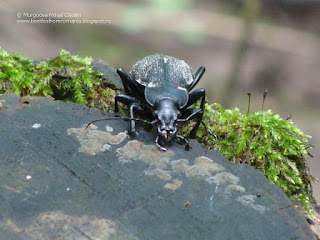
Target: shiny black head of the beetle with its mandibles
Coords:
[(167, 115)]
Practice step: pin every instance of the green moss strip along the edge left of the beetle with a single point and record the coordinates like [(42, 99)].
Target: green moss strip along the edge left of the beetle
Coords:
[(65, 77)]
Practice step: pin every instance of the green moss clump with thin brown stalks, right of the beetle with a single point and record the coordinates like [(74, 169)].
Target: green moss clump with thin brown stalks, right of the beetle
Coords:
[(267, 142)]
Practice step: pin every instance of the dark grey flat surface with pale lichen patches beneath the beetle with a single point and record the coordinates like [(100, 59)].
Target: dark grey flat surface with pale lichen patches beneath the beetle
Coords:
[(61, 181)]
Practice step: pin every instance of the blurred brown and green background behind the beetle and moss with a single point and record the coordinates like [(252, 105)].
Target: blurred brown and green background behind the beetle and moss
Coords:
[(245, 45)]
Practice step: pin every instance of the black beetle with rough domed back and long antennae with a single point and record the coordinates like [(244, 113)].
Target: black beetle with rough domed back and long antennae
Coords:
[(158, 86)]
